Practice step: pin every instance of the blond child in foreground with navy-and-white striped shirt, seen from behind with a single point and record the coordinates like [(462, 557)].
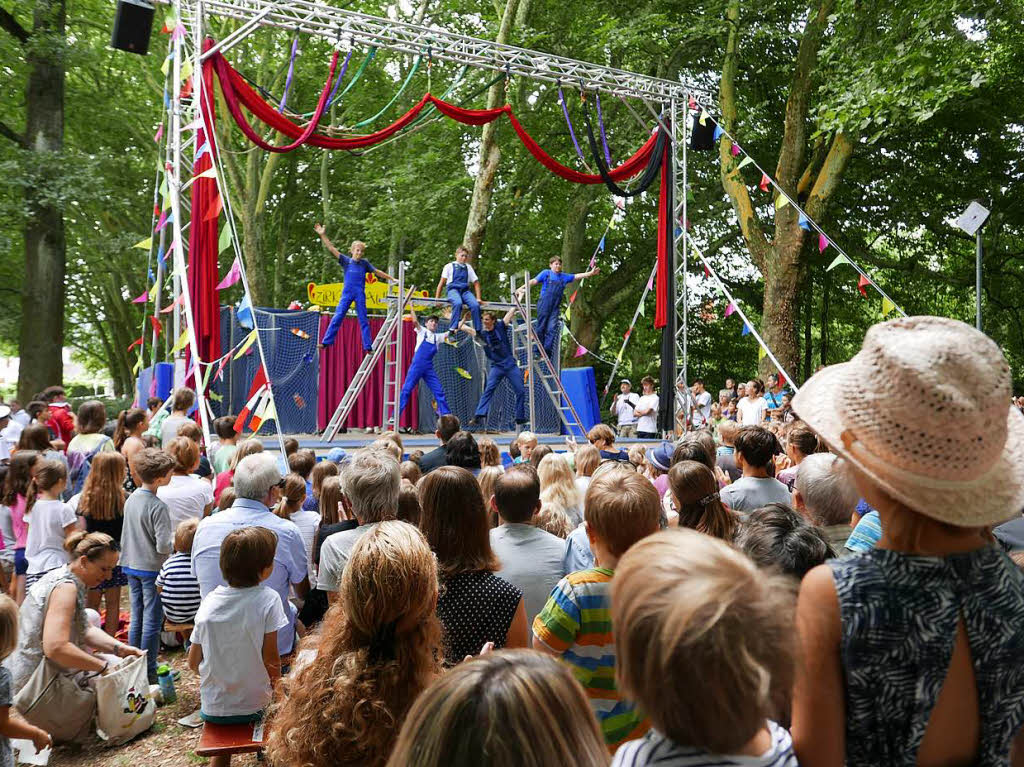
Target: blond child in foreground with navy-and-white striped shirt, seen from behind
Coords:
[(705, 646)]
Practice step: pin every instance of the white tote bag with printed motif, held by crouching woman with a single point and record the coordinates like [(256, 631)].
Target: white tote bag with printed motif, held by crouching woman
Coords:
[(124, 707)]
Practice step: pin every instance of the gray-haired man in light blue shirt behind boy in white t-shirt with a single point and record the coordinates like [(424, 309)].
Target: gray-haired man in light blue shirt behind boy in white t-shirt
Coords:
[(258, 489)]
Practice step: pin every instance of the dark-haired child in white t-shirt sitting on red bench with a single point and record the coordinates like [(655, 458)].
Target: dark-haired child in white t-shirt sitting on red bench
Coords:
[(235, 643)]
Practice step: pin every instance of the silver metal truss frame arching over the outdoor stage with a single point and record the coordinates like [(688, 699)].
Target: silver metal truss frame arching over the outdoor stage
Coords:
[(349, 29)]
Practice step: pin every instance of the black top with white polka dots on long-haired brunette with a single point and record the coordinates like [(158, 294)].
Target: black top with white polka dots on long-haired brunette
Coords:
[(475, 609)]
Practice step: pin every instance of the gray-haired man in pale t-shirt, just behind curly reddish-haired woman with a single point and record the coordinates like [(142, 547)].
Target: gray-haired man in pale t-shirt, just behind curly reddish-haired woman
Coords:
[(372, 485)]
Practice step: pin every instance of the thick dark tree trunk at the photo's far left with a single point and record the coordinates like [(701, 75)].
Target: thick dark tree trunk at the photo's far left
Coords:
[(44, 290)]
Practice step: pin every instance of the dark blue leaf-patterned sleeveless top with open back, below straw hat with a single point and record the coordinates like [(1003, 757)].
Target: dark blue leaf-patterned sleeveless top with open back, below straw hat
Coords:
[(900, 615)]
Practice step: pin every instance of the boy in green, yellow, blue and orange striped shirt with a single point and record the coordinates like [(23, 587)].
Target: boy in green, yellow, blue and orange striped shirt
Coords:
[(621, 508)]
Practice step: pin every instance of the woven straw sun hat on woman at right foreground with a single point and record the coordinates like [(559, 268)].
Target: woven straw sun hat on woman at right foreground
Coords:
[(924, 409)]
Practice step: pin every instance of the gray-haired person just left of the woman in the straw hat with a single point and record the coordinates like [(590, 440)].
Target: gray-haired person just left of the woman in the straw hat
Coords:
[(827, 497)]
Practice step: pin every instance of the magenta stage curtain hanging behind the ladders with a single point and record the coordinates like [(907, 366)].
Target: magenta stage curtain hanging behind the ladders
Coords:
[(338, 366)]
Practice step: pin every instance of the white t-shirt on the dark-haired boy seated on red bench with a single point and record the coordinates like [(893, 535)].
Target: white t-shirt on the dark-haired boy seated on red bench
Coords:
[(231, 626)]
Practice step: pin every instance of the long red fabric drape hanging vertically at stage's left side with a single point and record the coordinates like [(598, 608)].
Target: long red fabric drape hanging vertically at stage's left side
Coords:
[(203, 278)]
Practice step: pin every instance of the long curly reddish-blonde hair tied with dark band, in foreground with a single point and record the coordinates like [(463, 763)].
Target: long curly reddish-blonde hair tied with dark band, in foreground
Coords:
[(378, 651)]
